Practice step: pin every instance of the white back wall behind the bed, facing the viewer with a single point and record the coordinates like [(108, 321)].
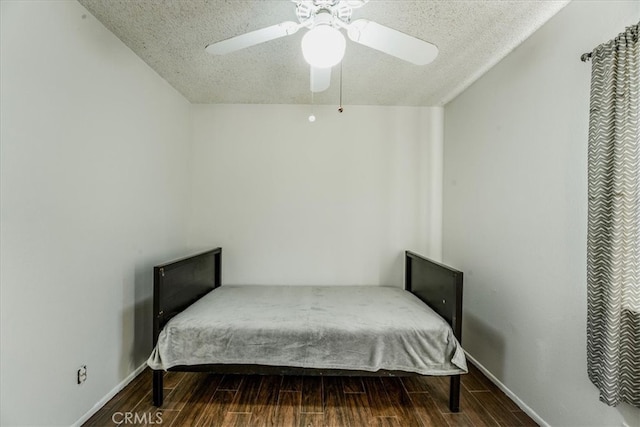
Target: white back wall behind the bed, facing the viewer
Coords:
[(331, 202)]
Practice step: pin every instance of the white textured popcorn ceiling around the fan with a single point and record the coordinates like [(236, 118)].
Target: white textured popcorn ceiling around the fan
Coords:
[(170, 36)]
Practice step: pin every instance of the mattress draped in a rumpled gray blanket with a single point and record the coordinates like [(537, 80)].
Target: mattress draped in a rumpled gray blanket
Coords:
[(366, 328)]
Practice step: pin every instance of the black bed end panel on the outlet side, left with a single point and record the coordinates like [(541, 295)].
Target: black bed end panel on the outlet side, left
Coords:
[(178, 284)]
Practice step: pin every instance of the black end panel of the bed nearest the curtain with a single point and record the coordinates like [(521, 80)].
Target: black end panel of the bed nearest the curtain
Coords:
[(438, 285)]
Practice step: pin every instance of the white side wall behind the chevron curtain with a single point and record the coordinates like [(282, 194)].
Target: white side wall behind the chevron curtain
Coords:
[(515, 212)]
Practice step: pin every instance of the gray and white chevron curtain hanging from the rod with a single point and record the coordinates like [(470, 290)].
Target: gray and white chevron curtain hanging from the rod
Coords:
[(613, 244)]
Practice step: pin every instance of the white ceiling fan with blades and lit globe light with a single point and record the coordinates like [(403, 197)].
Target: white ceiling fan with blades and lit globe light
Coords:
[(323, 45)]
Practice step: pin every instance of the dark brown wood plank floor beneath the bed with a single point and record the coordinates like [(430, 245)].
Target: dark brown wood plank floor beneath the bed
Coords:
[(200, 399)]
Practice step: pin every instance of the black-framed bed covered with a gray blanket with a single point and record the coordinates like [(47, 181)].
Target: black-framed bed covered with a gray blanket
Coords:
[(200, 325)]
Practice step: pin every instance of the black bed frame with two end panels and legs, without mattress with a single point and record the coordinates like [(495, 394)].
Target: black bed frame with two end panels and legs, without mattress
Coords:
[(178, 284)]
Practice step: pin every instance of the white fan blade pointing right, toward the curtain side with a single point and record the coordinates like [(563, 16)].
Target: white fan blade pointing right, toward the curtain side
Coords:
[(392, 42)]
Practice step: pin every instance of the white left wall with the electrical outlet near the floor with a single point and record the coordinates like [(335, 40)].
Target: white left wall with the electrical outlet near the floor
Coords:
[(94, 187)]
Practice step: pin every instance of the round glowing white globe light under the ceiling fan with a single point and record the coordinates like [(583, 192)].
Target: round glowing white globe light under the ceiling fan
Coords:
[(323, 46)]
